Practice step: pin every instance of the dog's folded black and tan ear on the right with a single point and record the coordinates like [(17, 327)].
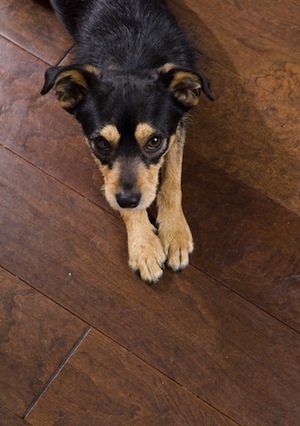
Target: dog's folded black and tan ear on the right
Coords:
[(185, 85)]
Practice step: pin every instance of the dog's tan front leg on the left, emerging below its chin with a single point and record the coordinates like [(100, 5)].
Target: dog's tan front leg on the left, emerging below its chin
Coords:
[(145, 250)]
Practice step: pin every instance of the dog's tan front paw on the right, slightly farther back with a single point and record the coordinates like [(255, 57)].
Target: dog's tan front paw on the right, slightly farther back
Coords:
[(177, 241)]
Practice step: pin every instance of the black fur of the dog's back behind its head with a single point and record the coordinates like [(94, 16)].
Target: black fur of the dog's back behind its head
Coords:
[(132, 34)]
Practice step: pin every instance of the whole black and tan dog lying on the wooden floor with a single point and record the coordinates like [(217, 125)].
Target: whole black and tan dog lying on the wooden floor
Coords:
[(131, 87)]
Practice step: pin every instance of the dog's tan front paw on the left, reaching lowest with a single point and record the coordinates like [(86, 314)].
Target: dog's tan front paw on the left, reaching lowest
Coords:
[(146, 256)]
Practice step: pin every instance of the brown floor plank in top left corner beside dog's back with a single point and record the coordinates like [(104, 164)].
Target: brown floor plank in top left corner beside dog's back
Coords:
[(33, 26)]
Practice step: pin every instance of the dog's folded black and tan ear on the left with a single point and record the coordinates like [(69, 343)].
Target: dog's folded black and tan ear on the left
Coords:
[(71, 83)]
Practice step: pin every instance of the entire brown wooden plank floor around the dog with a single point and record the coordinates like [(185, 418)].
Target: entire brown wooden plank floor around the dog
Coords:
[(82, 340)]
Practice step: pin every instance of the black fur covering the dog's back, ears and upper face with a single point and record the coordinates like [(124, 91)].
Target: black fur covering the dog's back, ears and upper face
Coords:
[(129, 42)]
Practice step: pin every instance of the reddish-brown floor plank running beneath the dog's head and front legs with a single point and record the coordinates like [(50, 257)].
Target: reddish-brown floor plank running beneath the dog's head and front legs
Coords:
[(62, 153)]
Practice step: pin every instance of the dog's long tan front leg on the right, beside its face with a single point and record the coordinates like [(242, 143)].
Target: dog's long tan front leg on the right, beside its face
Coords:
[(174, 232)]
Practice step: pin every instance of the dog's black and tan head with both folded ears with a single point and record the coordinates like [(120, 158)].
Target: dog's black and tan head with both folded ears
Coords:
[(129, 120)]
